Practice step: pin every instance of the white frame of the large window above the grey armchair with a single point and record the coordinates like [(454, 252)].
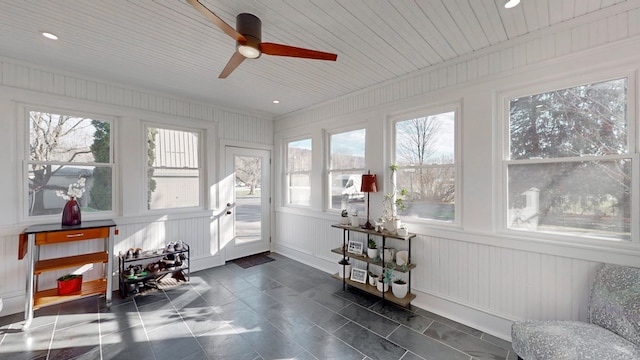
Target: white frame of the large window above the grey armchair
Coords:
[(503, 99)]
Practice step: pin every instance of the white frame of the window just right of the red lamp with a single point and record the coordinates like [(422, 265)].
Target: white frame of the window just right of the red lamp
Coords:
[(456, 108)]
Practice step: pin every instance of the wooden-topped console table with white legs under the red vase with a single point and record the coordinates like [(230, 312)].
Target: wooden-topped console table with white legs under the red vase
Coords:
[(37, 236)]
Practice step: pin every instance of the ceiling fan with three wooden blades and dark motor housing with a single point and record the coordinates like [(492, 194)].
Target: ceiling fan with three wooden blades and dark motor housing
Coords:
[(248, 37)]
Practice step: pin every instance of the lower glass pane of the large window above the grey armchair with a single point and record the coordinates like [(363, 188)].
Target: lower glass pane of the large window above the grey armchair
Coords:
[(580, 198)]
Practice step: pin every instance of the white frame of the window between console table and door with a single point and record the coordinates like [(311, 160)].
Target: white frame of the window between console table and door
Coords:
[(201, 170)]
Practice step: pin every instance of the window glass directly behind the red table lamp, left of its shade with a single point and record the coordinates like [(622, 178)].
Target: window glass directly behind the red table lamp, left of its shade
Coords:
[(346, 166)]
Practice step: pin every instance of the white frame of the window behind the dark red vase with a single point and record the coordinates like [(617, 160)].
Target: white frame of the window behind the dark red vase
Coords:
[(23, 131)]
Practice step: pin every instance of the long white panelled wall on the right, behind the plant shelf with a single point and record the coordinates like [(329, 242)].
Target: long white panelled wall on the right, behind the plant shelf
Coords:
[(474, 273)]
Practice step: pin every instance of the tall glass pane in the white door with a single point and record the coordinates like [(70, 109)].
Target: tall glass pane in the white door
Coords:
[(248, 170)]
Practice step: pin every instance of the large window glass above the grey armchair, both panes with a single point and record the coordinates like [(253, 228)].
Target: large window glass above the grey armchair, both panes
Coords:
[(569, 164)]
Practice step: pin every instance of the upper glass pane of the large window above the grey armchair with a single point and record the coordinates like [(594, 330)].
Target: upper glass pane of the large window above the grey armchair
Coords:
[(584, 120)]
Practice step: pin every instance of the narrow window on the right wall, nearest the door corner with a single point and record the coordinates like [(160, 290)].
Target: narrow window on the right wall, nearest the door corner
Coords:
[(299, 172)]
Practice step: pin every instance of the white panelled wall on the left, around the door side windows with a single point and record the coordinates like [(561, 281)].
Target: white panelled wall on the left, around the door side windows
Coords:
[(22, 84)]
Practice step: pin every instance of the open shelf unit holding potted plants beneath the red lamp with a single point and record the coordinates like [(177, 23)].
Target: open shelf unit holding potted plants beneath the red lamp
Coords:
[(346, 229)]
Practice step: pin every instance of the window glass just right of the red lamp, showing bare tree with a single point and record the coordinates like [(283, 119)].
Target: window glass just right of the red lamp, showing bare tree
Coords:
[(425, 157)]
